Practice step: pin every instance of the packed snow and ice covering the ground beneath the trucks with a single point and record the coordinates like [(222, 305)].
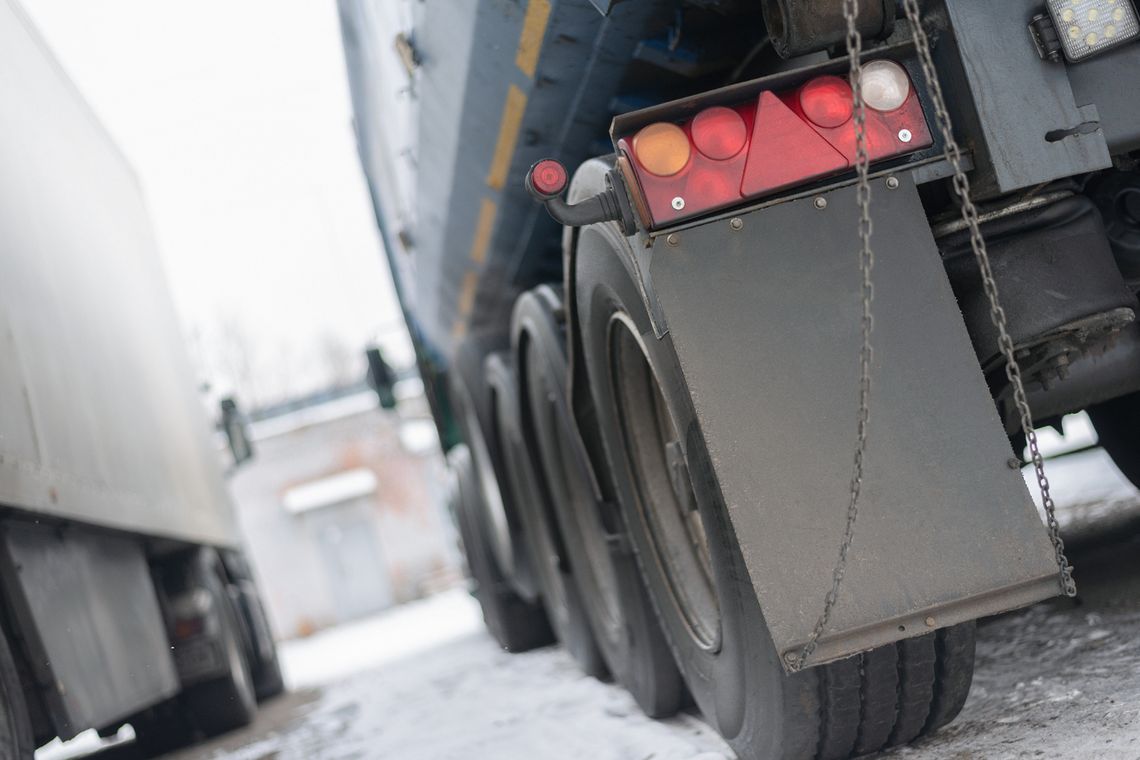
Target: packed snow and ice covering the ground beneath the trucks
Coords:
[(425, 683)]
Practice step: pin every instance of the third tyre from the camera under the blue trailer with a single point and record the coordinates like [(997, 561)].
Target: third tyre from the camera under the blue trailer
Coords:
[(557, 584)]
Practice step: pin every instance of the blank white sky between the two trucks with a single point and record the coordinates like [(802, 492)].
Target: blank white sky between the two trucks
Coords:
[(237, 117)]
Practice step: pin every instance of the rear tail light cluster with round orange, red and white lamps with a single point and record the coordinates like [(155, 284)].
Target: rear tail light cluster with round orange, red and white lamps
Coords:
[(726, 156)]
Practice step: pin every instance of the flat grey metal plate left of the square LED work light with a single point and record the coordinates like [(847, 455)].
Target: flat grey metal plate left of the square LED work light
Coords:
[(1005, 99)]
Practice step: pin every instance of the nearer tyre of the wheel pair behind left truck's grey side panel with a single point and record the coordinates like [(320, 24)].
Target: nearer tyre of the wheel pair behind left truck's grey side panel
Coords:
[(229, 702)]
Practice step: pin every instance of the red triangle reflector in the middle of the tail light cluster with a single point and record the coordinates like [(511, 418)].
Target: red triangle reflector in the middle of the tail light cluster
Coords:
[(785, 151)]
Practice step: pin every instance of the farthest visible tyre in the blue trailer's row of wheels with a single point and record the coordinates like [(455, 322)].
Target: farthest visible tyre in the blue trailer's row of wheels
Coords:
[(516, 624)]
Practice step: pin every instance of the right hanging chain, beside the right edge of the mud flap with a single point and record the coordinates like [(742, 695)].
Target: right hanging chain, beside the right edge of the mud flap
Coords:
[(997, 314)]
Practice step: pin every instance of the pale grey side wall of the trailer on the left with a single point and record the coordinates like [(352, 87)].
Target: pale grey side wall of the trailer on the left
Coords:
[(100, 419)]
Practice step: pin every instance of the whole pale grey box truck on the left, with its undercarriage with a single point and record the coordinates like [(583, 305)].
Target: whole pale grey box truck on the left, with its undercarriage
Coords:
[(125, 593)]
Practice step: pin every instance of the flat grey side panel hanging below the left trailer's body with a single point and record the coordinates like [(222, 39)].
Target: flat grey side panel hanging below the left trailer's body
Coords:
[(91, 620)]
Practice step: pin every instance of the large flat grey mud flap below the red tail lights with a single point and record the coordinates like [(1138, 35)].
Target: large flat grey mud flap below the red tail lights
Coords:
[(764, 314)]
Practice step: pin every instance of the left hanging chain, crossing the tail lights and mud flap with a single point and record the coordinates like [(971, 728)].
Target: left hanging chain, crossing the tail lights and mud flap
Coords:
[(867, 265)]
